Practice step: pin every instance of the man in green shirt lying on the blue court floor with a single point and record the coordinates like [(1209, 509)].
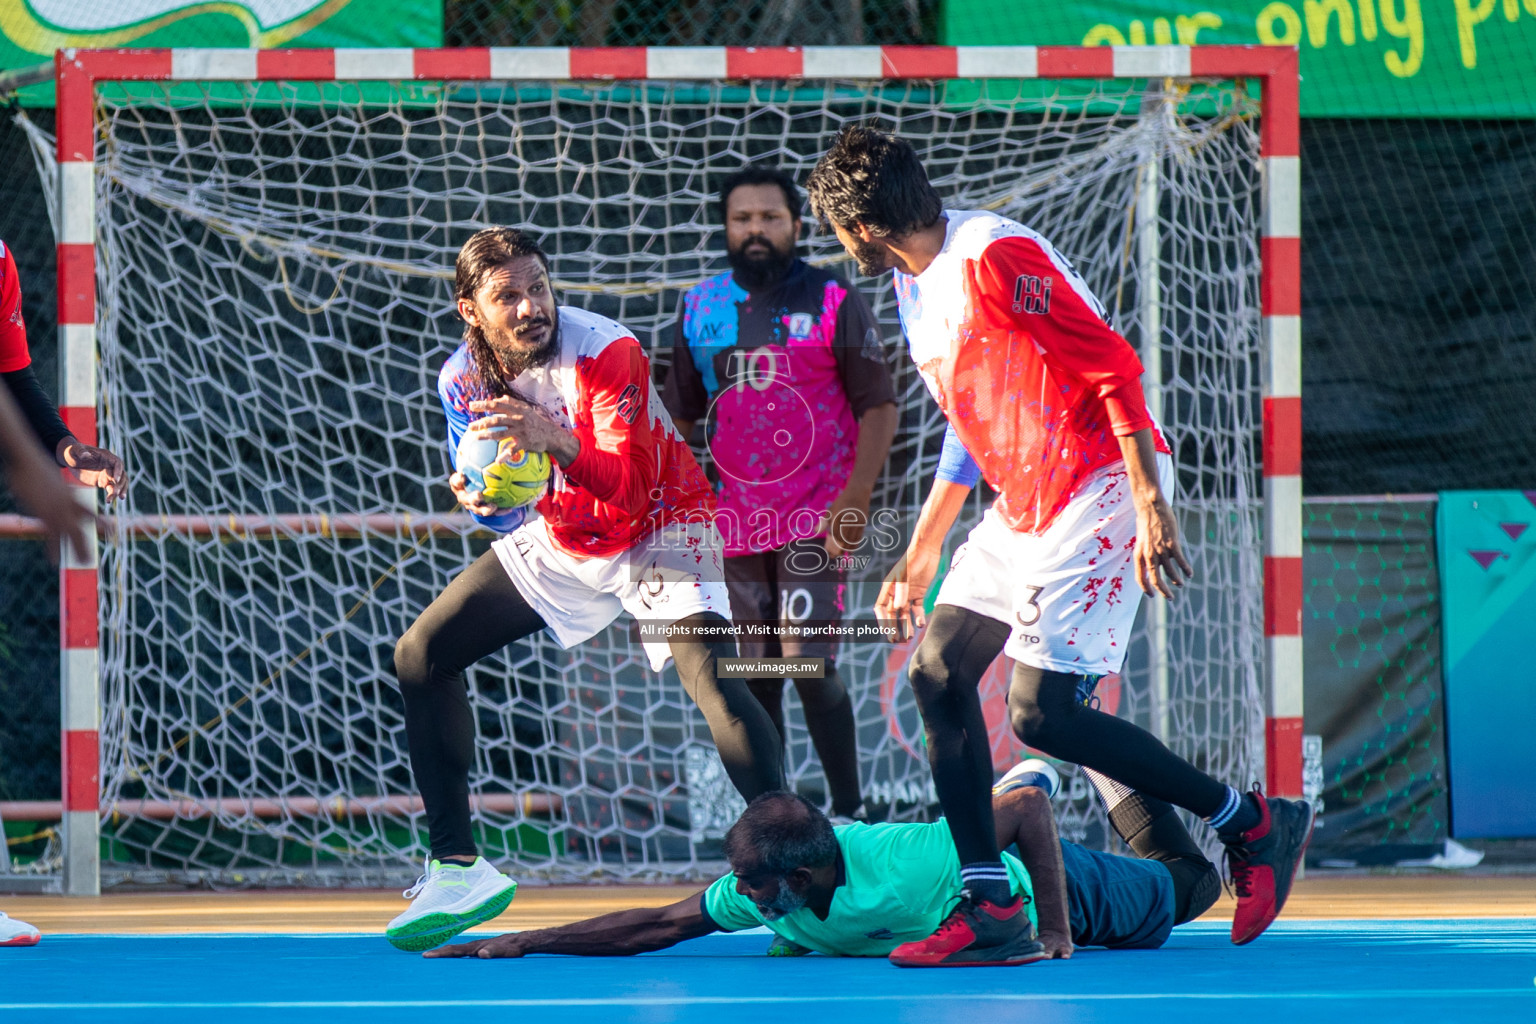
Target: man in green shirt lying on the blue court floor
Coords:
[(867, 890)]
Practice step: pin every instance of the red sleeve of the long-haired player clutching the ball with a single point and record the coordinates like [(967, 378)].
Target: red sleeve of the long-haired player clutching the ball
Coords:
[(618, 463)]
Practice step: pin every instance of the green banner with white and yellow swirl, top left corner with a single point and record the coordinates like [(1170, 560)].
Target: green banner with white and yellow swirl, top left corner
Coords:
[(31, 31)]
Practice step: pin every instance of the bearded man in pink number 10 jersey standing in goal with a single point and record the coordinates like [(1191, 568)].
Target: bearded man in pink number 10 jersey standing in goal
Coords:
[(784, 363)]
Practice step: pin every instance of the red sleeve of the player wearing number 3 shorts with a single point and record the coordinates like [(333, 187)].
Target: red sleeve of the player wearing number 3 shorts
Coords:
[(1024, 285)]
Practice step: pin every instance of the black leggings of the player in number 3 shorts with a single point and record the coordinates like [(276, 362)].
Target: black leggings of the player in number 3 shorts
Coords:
[(1045, 713)]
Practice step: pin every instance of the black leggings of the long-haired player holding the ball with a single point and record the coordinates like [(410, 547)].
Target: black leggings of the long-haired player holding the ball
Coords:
[(483, 612)]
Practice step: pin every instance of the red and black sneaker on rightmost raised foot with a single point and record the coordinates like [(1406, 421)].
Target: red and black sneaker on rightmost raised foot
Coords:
[(1263, 864)]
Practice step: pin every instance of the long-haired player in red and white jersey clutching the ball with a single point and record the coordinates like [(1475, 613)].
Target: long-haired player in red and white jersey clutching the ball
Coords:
[(627, 526)]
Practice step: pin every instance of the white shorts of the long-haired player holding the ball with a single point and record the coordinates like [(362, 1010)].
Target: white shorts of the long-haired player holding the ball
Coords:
[(677, 572)]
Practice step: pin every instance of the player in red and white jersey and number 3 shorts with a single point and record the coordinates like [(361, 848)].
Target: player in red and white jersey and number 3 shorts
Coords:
[(1045, 401)]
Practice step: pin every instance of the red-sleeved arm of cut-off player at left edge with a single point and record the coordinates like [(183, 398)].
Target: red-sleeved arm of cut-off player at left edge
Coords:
[(87, 463)]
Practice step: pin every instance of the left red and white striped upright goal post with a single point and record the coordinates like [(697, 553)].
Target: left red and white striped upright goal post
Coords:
[(78, 576)]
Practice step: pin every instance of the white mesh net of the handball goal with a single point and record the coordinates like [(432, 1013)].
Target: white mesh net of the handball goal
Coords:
[(274, 276)]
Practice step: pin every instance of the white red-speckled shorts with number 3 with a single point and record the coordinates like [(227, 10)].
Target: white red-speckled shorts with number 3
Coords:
[(1068, 595)]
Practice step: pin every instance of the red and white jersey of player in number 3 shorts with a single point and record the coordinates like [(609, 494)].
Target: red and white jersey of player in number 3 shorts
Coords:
[(1038, 418)]
